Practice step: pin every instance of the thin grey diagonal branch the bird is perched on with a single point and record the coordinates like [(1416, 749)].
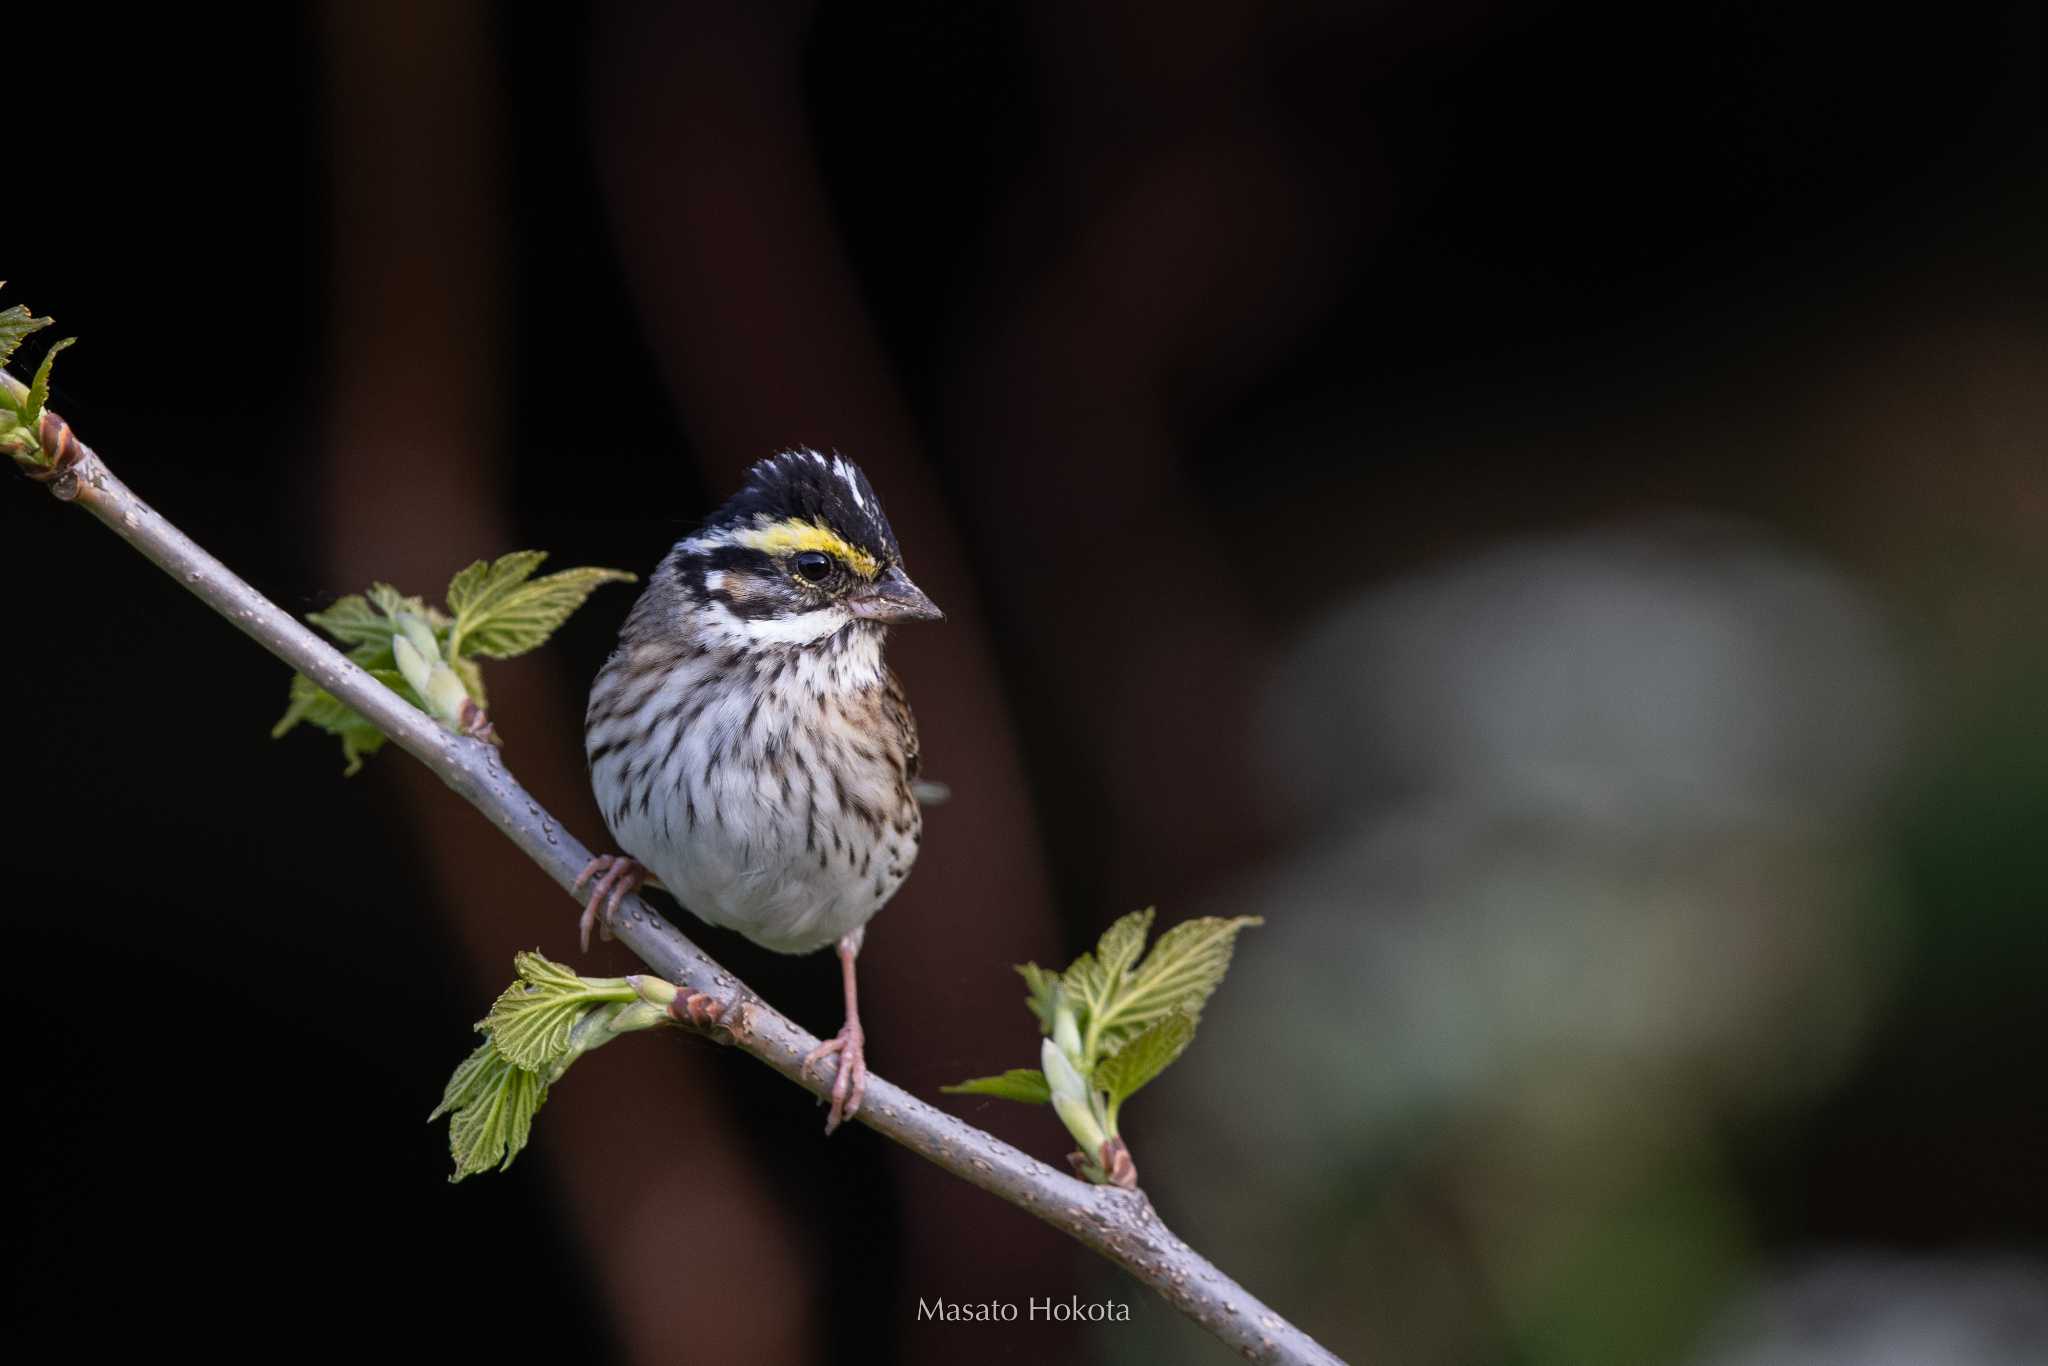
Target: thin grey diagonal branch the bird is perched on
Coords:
[(1117, 1224)]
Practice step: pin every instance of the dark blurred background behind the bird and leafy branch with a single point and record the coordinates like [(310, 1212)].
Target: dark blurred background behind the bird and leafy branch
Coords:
[(1543, 503)]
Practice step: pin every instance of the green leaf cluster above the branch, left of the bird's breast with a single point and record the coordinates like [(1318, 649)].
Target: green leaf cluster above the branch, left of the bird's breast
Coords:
[(495, 611)]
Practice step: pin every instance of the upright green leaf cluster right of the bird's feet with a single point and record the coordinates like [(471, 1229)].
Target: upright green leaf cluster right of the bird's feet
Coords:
[(1115, 1021)]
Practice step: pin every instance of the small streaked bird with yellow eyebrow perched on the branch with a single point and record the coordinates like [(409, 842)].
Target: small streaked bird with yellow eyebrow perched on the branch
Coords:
[(746, 742)]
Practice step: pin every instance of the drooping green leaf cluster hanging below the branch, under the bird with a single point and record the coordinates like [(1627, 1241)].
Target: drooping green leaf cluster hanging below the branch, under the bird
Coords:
[(536, 1029)]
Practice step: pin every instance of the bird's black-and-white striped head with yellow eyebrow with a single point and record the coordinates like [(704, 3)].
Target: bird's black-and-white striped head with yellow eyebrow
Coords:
[(800, 554)]
